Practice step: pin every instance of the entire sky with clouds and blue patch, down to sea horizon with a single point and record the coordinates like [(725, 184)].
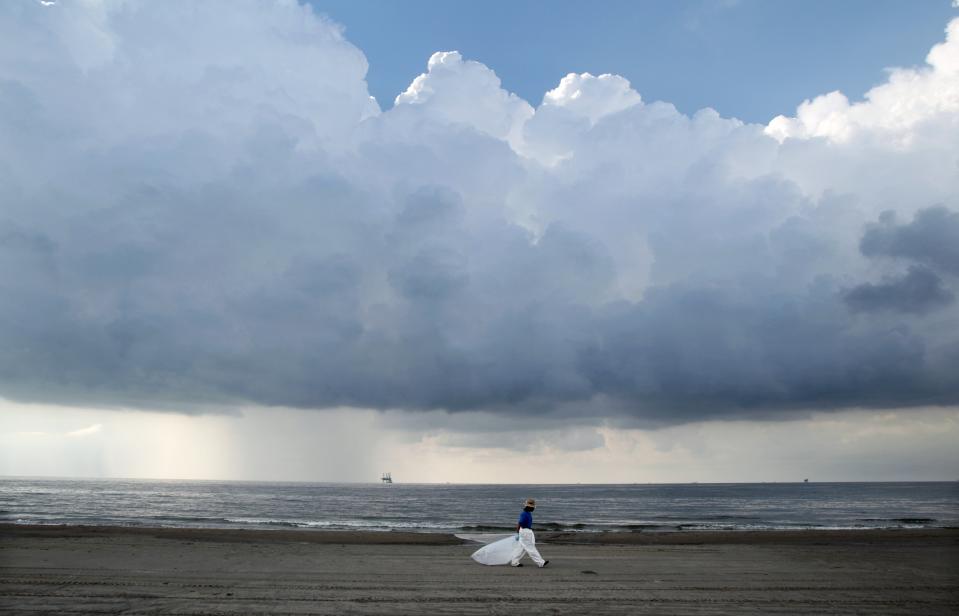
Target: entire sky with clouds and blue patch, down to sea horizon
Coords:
[(271, 240)]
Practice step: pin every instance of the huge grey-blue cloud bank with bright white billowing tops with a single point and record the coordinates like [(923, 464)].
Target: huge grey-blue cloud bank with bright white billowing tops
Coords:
[(202, 206)]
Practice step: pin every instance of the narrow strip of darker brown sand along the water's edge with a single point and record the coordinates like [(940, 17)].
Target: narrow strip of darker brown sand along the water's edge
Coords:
[(347, 537)]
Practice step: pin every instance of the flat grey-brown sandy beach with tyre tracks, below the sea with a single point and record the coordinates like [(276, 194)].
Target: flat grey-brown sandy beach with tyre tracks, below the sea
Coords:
[(139, 571)]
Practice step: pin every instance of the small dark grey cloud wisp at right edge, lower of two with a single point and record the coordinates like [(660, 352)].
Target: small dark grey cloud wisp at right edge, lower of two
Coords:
[(919, 290)]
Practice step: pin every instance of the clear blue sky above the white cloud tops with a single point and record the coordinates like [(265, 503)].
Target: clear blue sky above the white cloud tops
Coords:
[(752, 59)]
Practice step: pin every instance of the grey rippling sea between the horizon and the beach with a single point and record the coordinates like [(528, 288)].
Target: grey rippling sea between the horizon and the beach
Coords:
[(479, 508)]
